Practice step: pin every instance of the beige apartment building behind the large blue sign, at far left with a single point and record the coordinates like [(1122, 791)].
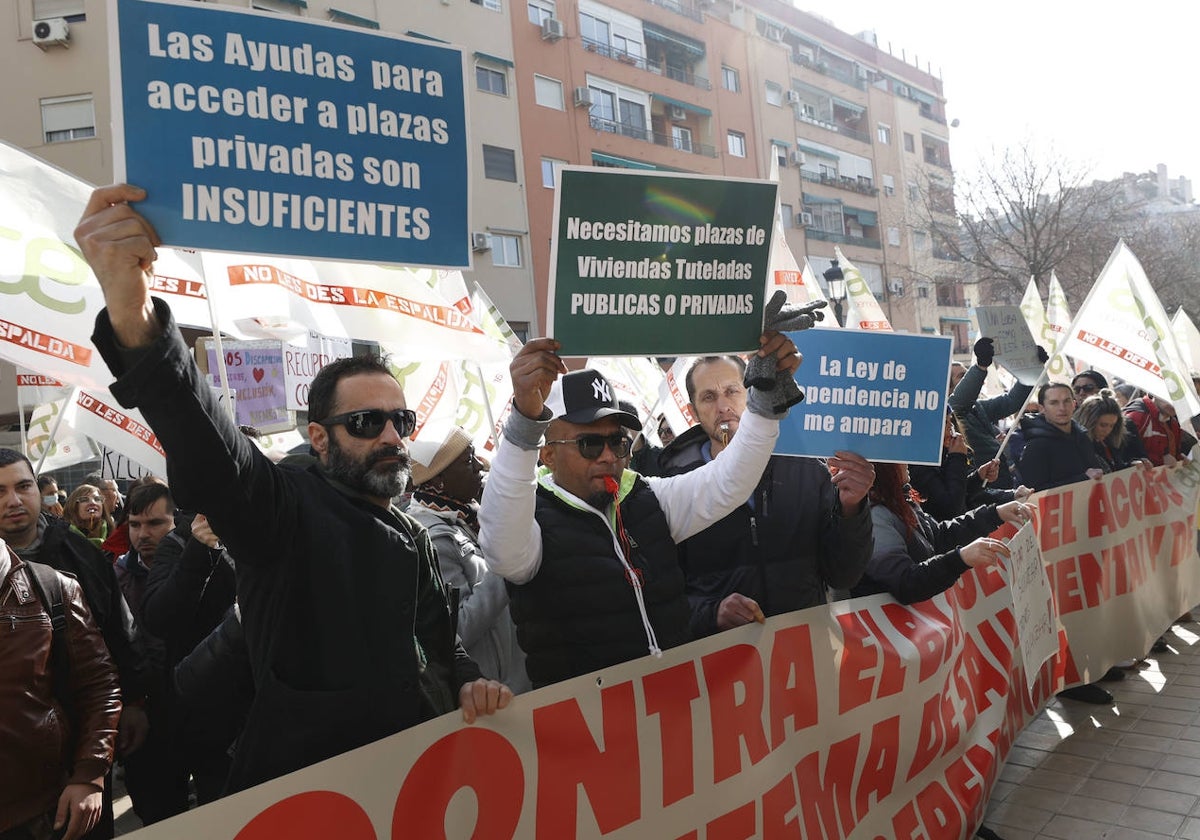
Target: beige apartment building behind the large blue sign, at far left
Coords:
[(56, 100)]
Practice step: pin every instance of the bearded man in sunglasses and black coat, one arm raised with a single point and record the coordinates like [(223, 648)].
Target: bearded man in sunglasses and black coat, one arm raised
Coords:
[(345, 613)]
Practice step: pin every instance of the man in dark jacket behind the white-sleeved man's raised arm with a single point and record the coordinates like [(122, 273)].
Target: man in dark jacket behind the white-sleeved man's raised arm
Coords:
[(801, 533)]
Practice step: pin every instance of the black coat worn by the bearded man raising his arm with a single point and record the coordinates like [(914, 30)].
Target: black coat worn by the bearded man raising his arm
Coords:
[(343, 602)]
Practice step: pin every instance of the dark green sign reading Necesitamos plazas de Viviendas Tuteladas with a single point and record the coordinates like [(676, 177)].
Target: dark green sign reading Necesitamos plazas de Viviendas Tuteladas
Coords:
[(658, 265)]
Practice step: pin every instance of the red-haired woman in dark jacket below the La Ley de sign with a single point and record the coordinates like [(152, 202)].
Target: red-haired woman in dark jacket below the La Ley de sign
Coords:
[(917, 556)]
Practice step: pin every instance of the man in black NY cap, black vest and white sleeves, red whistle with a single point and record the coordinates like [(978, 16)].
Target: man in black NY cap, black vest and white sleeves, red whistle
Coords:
[(589, 548)]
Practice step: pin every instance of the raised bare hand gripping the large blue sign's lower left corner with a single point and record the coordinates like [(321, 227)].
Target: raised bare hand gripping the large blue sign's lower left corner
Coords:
[(119, 245)]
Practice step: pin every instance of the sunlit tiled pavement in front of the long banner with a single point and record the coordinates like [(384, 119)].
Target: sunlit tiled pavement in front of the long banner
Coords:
[(1079, 772)]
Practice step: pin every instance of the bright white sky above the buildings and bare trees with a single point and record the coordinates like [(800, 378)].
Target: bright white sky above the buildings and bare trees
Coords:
[(1111, 88)]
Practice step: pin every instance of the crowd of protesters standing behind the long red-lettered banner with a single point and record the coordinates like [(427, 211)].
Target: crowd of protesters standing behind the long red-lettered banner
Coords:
[(242, 619)]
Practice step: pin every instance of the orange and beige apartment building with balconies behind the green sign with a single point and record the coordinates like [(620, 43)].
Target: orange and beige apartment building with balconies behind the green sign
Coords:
[(725, 88)]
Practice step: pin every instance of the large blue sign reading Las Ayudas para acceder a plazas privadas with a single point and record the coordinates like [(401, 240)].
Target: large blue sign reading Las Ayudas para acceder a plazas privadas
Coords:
[(265, 134)]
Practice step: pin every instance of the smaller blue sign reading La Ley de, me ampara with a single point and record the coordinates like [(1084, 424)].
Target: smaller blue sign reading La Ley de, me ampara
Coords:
[(879, 394)]
